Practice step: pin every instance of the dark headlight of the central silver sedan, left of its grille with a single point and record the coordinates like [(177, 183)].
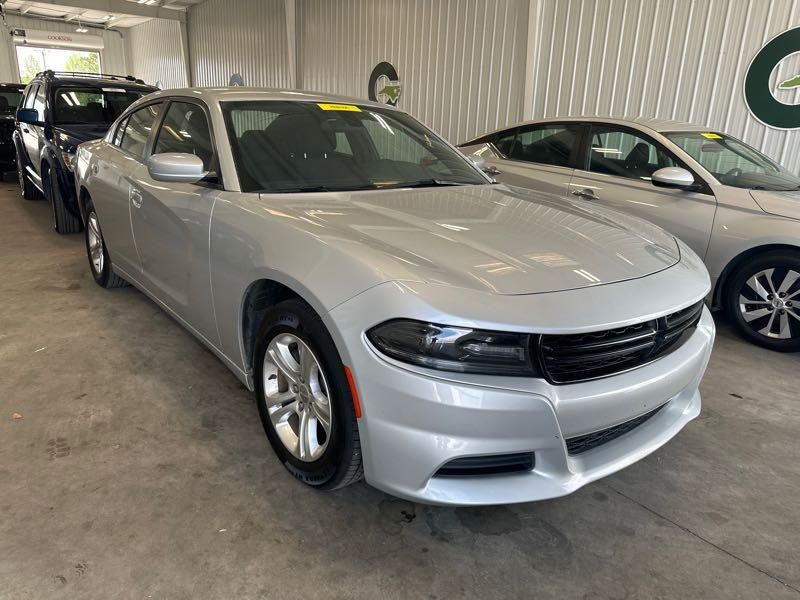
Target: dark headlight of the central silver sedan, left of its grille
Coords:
[(455, 348)]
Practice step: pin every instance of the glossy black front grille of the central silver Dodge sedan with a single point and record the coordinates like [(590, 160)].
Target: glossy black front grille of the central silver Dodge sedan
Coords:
[(581, 357)]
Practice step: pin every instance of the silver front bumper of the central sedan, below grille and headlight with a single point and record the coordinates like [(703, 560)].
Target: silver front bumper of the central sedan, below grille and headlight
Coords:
[(415, 421)]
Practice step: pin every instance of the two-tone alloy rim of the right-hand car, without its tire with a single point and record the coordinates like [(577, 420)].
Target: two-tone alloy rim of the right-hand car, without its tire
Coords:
[(769, 303)]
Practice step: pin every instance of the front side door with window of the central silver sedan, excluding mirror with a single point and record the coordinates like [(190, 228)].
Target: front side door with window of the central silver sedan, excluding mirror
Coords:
[(171, 220)]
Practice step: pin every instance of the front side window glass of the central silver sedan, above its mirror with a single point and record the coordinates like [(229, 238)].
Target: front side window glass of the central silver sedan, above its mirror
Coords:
[(185, 129)]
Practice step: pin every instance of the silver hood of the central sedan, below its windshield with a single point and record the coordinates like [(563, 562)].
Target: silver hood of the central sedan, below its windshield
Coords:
[(492, 237)]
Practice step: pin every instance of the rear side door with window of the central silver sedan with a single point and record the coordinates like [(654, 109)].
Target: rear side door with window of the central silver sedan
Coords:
[(115, 169)]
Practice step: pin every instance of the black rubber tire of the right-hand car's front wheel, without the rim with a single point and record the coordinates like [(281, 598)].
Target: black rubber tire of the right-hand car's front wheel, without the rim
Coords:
[(739, 279)]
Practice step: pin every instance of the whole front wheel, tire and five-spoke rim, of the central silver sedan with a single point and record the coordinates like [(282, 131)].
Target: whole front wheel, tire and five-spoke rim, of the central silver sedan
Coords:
[(336, 460)]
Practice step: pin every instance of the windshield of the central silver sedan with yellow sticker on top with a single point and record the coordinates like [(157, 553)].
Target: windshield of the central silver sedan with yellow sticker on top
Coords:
[(283, 146)]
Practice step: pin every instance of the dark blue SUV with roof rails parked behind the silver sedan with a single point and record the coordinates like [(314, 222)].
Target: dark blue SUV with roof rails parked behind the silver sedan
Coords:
[(58, 112)]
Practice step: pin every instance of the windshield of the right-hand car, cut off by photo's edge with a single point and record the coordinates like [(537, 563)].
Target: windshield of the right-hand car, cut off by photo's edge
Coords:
[(734, 163)]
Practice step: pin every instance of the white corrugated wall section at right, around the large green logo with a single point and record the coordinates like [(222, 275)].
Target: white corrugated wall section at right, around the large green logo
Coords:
[(675, 59)]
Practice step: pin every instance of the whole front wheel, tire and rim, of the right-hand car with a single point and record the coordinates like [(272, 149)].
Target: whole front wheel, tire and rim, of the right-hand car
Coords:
[(763, 300)]
